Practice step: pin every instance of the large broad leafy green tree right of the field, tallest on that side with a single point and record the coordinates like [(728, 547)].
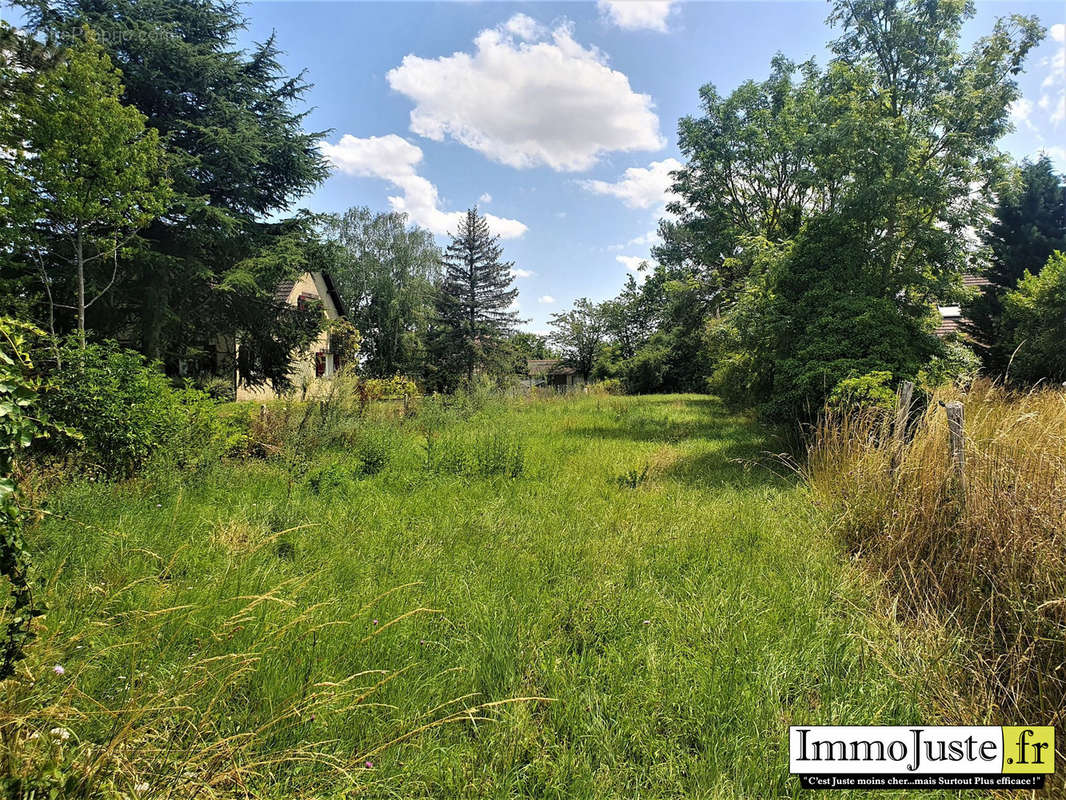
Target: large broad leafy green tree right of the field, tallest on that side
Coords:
[(884, 164)]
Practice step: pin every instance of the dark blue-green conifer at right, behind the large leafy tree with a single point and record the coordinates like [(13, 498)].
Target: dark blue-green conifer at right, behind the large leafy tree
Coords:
[(1029, 225)]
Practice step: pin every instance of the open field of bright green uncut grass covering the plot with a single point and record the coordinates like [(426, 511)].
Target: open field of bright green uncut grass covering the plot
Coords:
[(675, 604)]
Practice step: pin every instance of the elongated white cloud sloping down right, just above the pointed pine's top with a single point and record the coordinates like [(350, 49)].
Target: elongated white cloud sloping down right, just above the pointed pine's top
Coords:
[(393, 158)]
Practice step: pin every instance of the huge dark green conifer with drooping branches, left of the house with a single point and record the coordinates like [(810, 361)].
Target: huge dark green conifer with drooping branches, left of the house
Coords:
[(236, 150)]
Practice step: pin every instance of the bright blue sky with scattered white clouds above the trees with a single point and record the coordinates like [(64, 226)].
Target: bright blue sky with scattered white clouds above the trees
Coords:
[(536, 113)]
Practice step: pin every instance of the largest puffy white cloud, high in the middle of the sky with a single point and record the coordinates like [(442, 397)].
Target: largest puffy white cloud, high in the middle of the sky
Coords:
[(525, 103)]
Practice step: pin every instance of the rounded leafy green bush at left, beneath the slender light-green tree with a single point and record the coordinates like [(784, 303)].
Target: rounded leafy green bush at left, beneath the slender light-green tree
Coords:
[(125, 409)]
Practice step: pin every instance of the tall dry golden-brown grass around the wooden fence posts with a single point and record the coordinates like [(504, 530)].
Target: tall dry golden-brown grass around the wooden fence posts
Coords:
[(993, 562)]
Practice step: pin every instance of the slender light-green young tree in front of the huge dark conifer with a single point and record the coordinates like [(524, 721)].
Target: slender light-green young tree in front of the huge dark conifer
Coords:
[(93, 170)]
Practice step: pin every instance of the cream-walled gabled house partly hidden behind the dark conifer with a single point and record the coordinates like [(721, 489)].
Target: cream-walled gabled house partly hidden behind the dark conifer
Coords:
[(319, 360)]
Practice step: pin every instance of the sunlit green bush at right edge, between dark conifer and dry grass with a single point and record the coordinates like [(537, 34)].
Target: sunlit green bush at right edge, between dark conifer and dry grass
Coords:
[(1035, 318)]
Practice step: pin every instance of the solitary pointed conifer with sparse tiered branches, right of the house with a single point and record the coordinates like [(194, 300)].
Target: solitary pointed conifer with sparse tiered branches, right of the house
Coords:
[(475, 307)]
